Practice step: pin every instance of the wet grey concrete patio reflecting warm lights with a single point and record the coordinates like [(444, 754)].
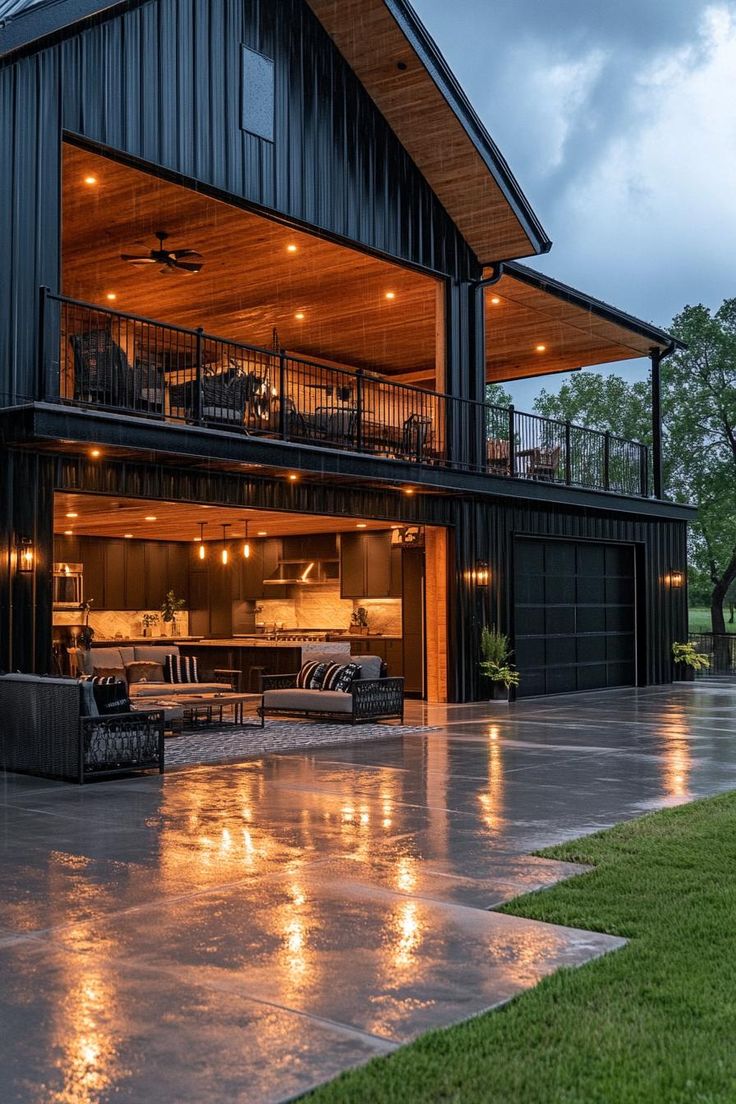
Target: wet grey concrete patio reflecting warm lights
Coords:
[(239, 933)]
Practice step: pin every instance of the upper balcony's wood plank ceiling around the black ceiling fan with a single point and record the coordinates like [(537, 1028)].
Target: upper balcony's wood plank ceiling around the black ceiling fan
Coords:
[(251, 283)]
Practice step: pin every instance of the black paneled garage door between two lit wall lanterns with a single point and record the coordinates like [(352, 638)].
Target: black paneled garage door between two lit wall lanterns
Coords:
[(575, 615)]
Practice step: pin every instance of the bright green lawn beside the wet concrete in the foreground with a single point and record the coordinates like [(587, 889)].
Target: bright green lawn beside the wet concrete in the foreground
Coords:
[(653, 1024)]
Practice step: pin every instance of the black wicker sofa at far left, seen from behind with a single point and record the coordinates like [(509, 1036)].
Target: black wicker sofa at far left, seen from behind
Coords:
[(45, 731)]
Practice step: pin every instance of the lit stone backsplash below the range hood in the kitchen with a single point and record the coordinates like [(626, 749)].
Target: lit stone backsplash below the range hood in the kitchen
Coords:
[(325, 609)]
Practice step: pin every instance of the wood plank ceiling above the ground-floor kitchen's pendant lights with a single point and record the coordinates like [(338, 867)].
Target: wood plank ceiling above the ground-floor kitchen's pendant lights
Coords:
[(108, 516)]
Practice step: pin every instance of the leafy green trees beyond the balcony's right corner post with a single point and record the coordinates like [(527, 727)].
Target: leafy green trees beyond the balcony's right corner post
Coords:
[(699, 433)]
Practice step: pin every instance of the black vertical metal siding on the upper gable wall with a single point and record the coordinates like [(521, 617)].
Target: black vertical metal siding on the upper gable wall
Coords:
[(163, 84)]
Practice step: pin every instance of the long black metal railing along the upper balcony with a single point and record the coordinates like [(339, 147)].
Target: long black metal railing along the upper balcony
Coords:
[(105, 359)]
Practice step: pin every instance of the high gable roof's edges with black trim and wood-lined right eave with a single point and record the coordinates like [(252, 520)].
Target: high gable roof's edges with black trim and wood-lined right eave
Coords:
[(403, 71)]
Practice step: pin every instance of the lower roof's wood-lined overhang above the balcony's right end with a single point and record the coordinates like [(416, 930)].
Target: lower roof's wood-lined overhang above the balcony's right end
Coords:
[(537, 326)]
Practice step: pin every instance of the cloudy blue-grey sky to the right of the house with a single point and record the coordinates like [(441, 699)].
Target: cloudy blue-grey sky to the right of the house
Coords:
[(618, 119)]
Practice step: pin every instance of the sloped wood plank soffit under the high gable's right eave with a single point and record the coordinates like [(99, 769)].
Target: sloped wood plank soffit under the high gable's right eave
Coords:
[(407, 94)]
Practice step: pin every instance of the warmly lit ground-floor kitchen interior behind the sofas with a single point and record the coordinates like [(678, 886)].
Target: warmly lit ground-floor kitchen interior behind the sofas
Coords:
[(250, 592)]
